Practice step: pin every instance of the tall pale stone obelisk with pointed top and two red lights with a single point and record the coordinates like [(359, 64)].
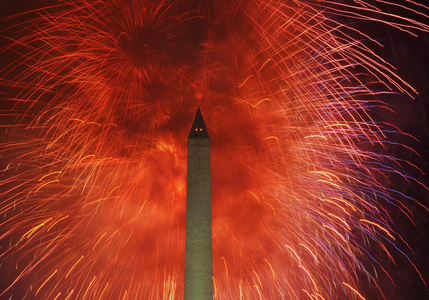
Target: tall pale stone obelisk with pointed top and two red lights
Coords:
[(198, 257)]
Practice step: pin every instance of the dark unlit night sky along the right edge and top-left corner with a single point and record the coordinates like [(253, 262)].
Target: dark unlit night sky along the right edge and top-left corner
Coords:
[(411, 56)]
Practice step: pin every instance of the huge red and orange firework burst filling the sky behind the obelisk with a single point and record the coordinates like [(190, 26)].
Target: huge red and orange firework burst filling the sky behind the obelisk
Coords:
[(100, 98)]
